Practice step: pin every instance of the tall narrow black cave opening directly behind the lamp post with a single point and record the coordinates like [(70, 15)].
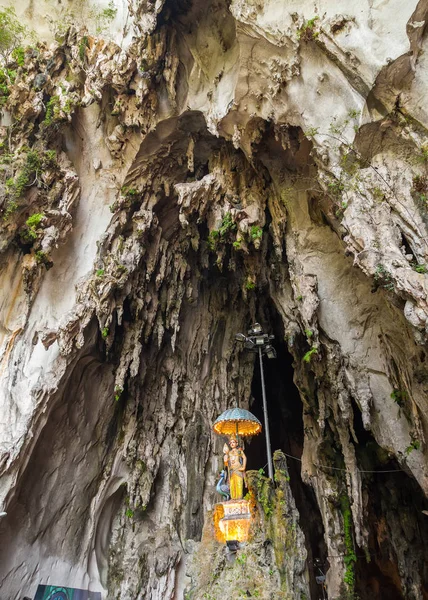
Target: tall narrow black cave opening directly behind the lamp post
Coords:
[(286, 431)]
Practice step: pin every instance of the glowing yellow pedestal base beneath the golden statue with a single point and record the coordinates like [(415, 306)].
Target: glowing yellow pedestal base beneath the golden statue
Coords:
[(232, 521)]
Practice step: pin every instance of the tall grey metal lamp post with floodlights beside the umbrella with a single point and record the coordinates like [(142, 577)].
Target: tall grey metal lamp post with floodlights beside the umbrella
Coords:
[(260, 343)]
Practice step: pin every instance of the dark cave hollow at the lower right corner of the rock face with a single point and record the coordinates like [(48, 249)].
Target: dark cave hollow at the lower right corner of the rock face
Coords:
[(395, 519)]
